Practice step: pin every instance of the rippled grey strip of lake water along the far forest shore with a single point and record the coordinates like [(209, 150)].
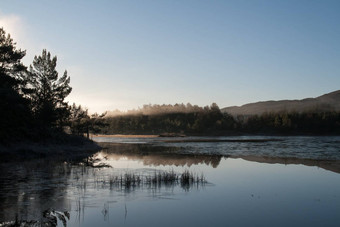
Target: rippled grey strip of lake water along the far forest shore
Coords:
[(300, 147)]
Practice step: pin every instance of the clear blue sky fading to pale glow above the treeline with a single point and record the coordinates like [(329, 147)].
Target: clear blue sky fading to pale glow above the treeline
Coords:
[(123, 54)]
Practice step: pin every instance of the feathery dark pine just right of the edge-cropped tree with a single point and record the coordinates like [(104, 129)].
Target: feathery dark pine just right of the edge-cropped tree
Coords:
[(50, 91)]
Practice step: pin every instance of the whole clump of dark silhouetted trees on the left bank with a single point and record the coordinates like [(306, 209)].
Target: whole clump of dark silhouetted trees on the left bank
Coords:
[(32, 103)]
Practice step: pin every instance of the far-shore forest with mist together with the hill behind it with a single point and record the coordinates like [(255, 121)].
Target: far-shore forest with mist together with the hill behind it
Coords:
[(312, 116)]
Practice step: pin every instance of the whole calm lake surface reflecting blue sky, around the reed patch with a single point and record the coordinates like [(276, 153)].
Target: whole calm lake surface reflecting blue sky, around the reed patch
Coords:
[(294, 181)]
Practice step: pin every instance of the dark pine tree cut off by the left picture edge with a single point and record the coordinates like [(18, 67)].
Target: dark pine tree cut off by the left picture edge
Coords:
[(15, 114)]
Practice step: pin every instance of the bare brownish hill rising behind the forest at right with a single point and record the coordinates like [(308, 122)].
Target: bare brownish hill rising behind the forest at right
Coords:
[(327, 102)]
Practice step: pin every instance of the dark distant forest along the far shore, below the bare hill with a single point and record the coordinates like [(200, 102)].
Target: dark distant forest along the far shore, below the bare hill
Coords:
[(209, 120)]
